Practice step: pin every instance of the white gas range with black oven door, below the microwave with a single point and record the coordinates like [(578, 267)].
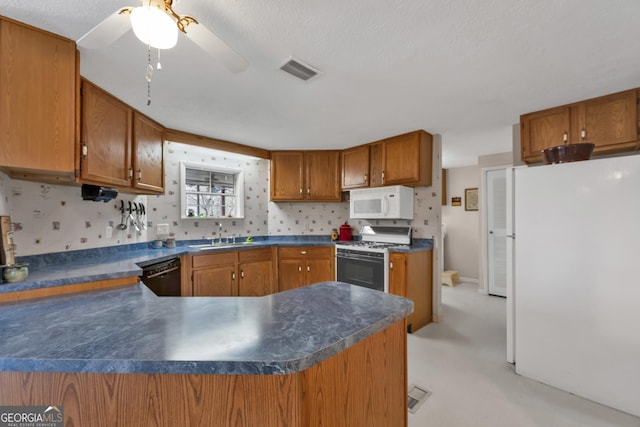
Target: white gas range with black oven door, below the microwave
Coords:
[(366, 262)]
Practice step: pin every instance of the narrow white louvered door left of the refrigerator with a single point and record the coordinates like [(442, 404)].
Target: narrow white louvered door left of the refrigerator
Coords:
[(496, 180)]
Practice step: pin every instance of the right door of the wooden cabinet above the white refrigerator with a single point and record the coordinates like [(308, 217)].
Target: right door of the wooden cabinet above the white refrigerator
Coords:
[(609, 120)]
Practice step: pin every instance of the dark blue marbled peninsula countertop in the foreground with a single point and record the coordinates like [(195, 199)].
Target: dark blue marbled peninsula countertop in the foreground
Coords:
[(130, 330)]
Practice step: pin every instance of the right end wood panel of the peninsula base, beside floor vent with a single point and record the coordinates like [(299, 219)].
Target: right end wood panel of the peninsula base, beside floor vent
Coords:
[(365, 386)]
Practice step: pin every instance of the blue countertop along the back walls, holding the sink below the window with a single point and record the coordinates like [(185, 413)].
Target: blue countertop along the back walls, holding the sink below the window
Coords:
[(67, 268)]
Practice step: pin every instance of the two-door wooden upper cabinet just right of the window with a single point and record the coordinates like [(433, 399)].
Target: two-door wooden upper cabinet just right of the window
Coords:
[(305, 176)]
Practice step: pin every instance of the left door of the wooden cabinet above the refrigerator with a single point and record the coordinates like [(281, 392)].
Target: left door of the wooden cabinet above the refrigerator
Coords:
[(541, 130)]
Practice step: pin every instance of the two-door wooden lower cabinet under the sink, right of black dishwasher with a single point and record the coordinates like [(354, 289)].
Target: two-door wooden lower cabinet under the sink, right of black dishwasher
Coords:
[(248, 272)]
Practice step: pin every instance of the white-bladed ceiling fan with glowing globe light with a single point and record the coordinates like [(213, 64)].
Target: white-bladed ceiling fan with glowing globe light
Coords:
[(157, 25)]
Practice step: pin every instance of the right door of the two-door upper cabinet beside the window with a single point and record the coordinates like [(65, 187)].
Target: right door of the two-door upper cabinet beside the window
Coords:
[(323, 175)]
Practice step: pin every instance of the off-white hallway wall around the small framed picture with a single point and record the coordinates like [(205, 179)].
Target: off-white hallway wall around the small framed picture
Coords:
[(462, 243)]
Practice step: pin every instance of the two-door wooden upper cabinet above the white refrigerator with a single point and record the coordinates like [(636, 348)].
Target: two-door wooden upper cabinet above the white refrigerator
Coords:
[(610, 122)]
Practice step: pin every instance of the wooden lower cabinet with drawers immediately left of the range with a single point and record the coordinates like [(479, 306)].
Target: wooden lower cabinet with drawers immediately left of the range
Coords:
[(304, 265)]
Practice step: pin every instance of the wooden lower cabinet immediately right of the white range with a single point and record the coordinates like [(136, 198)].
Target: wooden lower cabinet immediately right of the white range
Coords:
[(411, 276)]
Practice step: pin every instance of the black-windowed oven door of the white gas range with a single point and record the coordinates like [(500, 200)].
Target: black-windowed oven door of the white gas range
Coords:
[(367, 269)]
